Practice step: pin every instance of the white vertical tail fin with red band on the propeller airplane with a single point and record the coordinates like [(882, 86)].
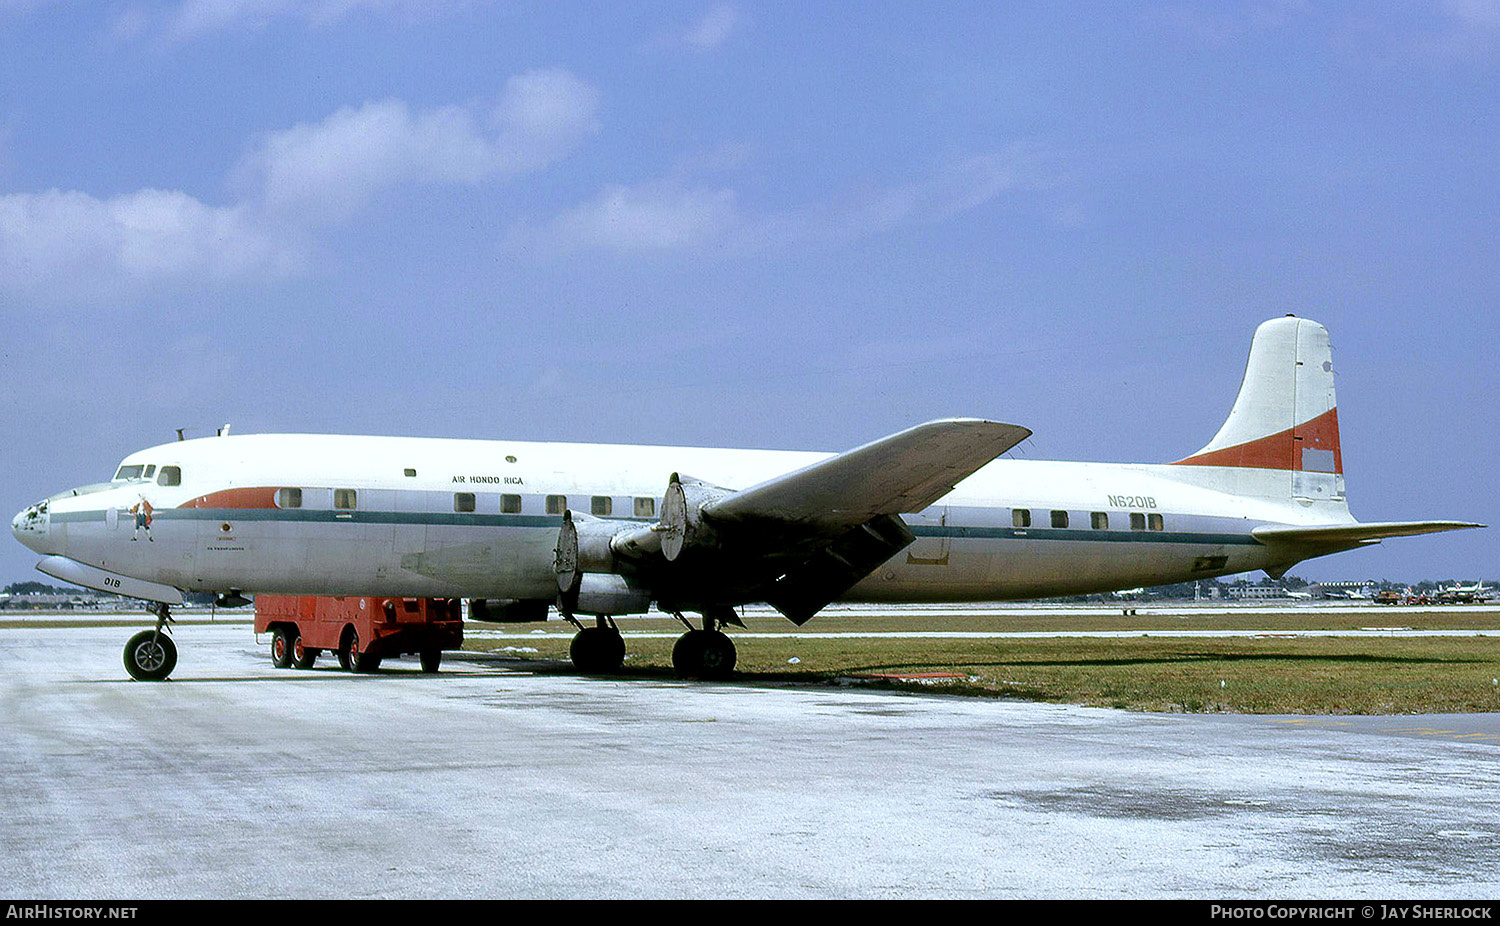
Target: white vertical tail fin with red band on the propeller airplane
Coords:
[(1282, 436)]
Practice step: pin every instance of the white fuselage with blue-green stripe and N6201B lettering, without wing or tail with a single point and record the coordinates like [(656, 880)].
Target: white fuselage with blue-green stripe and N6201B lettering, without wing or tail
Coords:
[(464, 519)]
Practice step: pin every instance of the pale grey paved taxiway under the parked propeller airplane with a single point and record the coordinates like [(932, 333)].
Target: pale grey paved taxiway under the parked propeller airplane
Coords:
[(236, 780)]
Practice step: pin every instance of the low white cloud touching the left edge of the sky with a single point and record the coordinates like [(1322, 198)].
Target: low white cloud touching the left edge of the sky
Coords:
[(83, 245)]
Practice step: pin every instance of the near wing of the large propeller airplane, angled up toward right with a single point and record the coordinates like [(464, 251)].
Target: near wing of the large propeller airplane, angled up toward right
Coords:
[(901, 474)]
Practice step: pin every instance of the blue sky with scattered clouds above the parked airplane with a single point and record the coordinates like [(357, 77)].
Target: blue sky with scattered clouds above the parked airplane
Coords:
[(752, 224)]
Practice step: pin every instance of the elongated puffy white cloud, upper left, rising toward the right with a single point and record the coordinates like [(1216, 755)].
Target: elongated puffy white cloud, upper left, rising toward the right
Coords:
[(331, 169)]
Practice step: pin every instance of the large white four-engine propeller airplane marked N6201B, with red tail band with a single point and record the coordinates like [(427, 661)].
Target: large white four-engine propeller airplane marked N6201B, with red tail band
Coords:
[(931, 514)]
